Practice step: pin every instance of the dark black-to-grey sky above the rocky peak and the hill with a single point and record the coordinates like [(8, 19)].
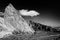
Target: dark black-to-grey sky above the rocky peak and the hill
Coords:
[(49, 11)]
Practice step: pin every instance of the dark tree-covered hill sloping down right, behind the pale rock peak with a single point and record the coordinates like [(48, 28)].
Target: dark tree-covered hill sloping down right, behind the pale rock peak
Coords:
[(40, 27)]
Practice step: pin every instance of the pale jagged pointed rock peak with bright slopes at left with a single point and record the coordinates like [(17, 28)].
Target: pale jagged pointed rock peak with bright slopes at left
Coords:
[(12, 21)]
